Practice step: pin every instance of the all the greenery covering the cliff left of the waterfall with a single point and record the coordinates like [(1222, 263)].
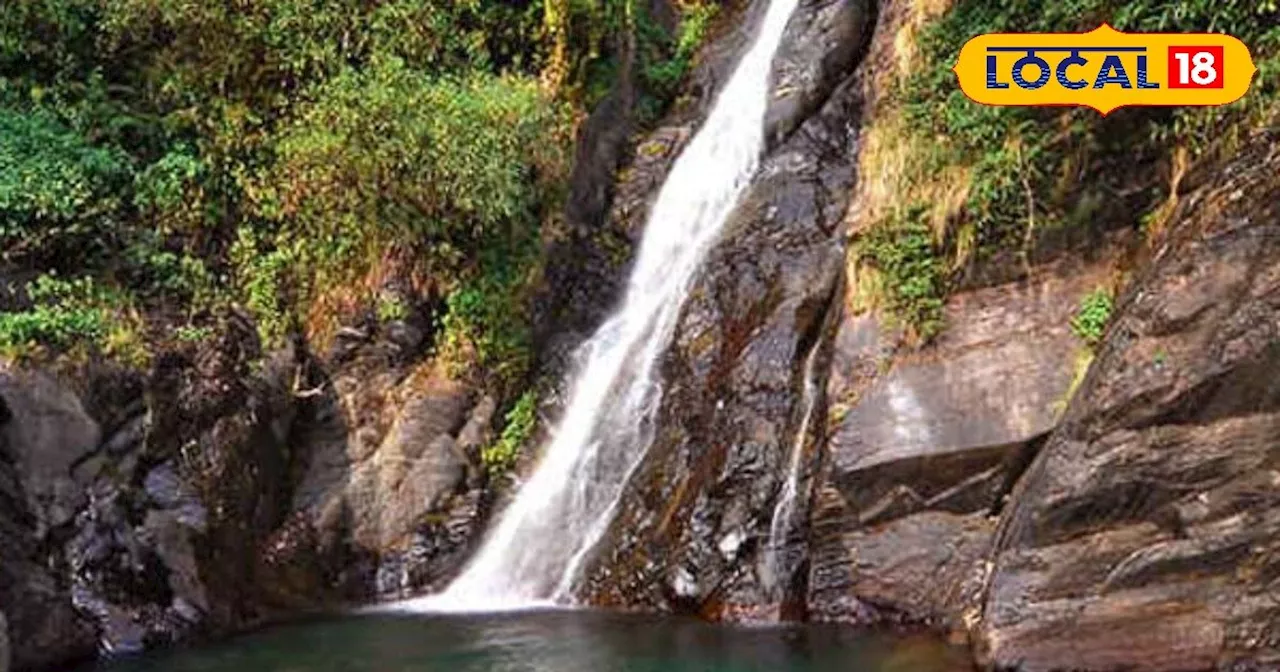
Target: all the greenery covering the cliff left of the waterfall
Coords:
[(309, 163)]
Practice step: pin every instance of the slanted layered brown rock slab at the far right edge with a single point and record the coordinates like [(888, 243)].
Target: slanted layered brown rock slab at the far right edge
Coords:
[(1148, 534)]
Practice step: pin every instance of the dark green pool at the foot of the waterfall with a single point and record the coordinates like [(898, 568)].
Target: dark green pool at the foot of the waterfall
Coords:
[(552, 642)]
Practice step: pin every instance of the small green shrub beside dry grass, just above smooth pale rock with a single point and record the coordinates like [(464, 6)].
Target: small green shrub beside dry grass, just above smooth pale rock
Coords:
[(912, 275)]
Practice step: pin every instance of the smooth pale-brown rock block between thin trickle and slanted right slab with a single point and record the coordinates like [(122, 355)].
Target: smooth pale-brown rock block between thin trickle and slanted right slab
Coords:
[(925, 446)]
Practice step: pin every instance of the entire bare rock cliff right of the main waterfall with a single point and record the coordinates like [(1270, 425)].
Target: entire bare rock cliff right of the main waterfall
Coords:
[(989, 484)]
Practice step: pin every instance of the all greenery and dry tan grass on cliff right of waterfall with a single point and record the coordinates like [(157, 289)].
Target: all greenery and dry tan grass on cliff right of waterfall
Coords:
[(993, 184)]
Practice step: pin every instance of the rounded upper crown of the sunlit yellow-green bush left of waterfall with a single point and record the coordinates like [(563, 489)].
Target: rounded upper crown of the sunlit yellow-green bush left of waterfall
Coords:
[(395, 154)]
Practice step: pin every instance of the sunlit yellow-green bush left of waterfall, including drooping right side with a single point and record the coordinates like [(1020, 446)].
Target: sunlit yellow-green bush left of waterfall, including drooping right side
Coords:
[(451, 171)]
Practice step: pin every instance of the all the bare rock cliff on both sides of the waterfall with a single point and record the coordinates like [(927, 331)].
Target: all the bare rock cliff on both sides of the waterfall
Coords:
[(1059, 505)]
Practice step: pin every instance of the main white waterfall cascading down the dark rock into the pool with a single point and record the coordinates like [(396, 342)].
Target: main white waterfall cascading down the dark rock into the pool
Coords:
[(534, 554)]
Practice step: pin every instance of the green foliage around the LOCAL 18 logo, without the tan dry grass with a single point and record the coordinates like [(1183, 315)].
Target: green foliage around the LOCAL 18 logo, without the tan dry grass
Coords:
[(1032, 167)]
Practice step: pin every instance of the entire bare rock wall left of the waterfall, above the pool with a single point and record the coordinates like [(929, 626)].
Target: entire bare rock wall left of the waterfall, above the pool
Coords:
[(213, 495)]
